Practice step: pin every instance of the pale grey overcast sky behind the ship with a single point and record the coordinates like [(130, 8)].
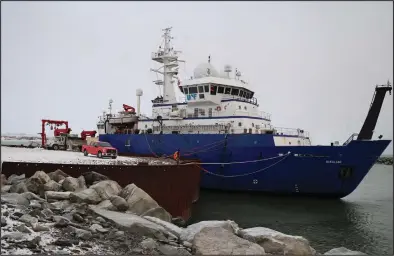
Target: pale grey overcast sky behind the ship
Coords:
[(313, 65)]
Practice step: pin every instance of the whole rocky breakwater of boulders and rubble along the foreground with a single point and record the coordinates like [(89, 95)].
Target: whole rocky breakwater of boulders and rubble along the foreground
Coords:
[(55, 213)]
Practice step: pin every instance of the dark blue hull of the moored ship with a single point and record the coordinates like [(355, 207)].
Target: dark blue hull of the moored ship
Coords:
[(325, 171)]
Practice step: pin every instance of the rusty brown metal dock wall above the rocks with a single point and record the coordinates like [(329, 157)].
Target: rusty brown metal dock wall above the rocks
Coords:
[(174, 187)]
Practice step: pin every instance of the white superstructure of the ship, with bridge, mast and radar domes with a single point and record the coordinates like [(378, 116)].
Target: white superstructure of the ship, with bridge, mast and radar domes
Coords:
[(214, 102)]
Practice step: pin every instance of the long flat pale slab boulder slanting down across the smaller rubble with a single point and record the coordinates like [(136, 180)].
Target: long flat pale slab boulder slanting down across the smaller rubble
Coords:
[(135, 224)]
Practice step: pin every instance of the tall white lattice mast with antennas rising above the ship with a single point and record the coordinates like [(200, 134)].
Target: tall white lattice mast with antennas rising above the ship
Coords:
[(169, 58)]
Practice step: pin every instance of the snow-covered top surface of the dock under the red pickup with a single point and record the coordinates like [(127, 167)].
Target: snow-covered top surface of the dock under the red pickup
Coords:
[(39, 155)]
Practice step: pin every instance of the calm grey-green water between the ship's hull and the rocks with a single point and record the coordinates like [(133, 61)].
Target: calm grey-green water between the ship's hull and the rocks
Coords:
[(362, 221)]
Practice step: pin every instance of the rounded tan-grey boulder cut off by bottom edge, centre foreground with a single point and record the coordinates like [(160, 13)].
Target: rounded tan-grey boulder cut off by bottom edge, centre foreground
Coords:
[(220, 241)]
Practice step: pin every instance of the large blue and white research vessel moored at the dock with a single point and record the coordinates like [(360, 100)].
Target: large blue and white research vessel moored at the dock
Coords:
[(219, 123)]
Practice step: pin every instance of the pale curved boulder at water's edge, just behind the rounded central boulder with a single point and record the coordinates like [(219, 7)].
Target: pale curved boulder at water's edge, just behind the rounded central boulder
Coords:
[(188, 233)]
